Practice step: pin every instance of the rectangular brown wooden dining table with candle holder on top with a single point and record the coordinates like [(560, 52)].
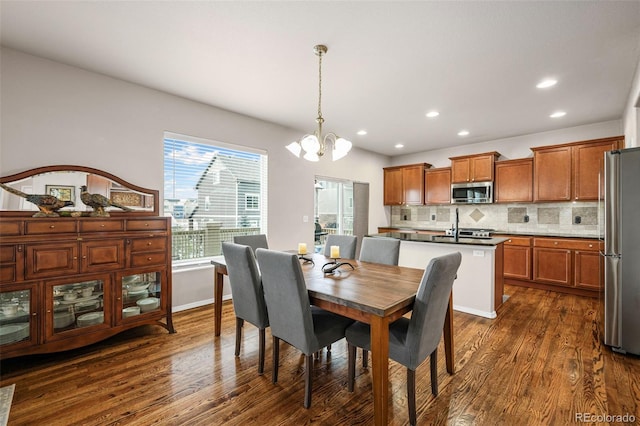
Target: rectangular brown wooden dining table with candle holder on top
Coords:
[(372, 293)]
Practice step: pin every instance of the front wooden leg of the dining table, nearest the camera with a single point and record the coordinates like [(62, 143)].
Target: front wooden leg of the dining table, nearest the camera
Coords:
[(380, 368)]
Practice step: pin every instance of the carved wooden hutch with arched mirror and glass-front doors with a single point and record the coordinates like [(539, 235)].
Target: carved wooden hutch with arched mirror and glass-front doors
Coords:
[(72, 280)]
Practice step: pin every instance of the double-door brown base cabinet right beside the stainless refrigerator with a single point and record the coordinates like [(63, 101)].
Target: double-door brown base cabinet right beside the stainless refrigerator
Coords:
[(574, 263)]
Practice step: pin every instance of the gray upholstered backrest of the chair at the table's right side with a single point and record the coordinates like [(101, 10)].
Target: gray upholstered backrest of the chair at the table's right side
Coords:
[(430, 307)]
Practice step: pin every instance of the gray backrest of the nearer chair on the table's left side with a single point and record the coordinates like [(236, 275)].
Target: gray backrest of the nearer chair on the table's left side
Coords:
[(287, 299)]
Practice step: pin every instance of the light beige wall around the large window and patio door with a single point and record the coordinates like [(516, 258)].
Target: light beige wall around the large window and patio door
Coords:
[(52, 113)]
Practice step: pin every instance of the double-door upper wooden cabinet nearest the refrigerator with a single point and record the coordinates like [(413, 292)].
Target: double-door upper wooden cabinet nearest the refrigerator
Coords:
[(571, 171)]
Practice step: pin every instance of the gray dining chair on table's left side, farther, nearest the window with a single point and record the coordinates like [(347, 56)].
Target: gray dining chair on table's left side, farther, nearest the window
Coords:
[(247, 293)]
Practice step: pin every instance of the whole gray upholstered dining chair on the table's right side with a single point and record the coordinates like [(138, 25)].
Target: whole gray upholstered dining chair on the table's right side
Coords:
[(411, 340)]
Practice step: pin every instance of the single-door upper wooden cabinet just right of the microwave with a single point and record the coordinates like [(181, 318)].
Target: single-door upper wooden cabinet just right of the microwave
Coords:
[(514, 181)]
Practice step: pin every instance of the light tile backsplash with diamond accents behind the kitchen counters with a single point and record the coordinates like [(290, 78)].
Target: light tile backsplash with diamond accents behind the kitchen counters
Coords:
[(567, 218)]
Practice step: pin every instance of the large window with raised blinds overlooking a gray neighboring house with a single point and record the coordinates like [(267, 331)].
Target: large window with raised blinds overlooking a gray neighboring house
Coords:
[(213, 191)]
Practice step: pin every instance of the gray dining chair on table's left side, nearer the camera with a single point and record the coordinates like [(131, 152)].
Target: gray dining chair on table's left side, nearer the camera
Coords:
[(292, 318)]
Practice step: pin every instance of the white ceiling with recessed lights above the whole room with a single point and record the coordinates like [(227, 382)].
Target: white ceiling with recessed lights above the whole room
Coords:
[(389, 62)]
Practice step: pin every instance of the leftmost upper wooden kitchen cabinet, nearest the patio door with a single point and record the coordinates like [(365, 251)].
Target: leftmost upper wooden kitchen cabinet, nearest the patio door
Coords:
[(404, 184)]
